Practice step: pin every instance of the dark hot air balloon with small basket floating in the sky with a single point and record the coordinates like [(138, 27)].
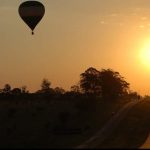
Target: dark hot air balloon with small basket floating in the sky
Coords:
[(31, 12)]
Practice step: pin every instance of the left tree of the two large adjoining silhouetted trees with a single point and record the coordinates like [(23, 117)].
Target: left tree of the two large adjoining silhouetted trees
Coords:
[(90, 81)]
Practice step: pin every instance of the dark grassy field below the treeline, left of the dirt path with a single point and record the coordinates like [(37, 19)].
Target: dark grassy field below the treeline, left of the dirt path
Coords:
[(31, 123)]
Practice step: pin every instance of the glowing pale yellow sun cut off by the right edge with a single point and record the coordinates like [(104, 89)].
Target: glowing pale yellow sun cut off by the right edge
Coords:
[(145, 55)]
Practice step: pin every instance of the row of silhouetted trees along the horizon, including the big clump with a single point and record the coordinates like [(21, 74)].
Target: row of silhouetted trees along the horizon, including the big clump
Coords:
[(105, 84)]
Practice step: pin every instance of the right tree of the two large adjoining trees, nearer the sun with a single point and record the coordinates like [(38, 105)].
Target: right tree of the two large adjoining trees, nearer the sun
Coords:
[(113, 84)]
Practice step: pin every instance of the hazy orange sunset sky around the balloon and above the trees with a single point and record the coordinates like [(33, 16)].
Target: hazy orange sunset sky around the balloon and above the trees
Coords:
[(72, 36)]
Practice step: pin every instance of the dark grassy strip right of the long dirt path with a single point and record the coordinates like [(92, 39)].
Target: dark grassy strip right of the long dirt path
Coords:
[(133, 130)]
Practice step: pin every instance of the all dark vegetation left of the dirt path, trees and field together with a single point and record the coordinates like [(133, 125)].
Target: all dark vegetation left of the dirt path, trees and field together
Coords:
[(55, 118)]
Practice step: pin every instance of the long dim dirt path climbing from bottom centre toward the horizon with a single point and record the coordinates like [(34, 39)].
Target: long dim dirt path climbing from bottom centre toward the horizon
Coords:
[(97, 139)]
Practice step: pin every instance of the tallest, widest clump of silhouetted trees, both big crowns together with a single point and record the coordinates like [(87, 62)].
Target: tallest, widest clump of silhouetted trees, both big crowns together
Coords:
[(106, 83)]
